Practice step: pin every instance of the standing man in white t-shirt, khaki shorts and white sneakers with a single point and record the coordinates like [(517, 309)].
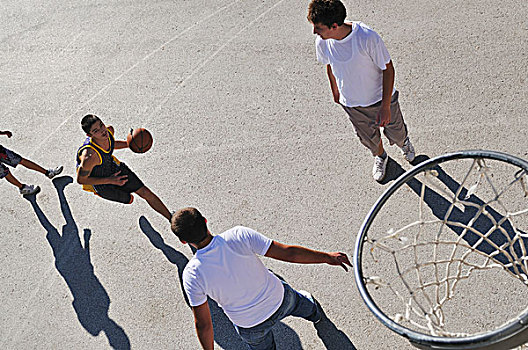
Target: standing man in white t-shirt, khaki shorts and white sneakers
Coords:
[(361, 76)]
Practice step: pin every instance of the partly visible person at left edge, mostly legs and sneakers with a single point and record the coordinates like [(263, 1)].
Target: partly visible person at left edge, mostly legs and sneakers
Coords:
[(13, 159)]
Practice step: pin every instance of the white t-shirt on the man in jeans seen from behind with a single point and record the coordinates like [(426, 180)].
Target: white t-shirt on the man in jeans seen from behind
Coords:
[(229, 271)]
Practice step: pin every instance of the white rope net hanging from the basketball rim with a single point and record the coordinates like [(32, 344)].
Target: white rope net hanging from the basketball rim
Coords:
[(426, 282)]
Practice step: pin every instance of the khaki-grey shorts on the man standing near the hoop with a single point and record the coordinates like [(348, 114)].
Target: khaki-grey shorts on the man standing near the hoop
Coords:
[(364, 121)]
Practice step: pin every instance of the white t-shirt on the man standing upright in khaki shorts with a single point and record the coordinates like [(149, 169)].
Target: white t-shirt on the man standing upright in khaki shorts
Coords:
[(357, 61)]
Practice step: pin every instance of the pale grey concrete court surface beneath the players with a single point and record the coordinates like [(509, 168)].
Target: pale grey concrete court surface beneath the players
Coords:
[(244, 128)]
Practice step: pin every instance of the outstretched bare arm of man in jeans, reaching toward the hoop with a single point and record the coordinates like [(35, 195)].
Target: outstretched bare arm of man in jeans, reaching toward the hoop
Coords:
[(302, 255)]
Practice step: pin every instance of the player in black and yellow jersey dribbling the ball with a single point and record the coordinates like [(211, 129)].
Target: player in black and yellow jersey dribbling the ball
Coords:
[(99, 171)]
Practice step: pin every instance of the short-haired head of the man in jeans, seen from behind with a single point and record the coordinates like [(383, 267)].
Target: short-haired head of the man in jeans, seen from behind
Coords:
[(189, 225)]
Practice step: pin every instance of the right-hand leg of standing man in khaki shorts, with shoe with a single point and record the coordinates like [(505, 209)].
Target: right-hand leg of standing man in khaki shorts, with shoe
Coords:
[(396, 130)]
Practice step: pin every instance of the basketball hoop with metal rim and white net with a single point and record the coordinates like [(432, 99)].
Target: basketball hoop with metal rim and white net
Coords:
[(451, 273)]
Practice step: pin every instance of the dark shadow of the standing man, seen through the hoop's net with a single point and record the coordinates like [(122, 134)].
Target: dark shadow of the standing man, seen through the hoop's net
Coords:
[(468, 216)]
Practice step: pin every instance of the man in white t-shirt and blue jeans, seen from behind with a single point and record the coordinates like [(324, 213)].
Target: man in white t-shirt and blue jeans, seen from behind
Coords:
[(226, 268)]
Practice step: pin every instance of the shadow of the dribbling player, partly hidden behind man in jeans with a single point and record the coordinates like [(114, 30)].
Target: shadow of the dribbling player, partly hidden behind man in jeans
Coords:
[(225, 334)]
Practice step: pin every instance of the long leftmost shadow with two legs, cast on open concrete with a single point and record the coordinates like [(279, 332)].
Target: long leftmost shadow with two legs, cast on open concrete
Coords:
[(90, 300)]
